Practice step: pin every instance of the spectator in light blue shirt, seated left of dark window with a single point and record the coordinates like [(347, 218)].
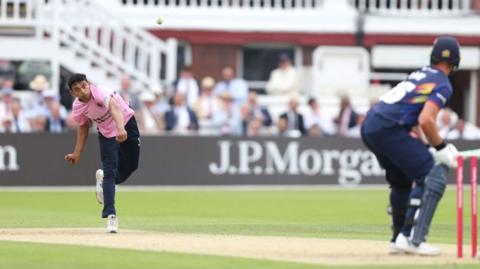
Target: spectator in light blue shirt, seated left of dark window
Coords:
[(236, 87)]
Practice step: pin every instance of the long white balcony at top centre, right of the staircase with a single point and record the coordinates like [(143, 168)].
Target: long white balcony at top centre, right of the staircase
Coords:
[(241, 15)]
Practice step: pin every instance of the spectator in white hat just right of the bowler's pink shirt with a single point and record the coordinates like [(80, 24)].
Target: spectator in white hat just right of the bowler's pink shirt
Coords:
[(149, 121)]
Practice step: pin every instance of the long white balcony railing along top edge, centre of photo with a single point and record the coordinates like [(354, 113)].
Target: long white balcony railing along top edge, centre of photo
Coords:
[(241, 4)]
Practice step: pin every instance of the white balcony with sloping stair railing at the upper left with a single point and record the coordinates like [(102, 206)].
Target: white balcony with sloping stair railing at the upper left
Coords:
[(83, 36)]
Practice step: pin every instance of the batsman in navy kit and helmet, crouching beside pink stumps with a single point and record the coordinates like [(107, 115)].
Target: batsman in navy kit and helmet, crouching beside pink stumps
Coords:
[(398, 130)]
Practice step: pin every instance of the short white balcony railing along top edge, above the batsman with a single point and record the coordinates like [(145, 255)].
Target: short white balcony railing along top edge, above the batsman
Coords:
[(414, 7)]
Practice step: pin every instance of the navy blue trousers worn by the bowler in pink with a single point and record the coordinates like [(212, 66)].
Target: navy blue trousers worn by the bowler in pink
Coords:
[(118, 162)]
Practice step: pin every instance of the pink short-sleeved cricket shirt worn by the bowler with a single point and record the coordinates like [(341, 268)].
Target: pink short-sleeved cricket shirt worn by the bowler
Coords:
[(96, 109)]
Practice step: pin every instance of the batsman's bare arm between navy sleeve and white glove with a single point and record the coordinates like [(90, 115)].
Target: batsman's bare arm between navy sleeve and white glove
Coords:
[(427, 122)]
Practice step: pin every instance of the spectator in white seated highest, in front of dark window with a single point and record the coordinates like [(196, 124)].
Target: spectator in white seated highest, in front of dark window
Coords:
[(285, 79)]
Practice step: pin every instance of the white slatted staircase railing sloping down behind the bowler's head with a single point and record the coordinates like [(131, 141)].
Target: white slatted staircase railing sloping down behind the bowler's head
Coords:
[(96, 35)]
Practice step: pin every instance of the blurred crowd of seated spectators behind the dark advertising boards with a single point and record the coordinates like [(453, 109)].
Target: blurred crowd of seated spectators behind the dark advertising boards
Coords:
[(207, 107)]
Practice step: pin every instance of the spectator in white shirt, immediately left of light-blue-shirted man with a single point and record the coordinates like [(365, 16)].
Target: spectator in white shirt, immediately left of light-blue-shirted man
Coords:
[(207, 104)]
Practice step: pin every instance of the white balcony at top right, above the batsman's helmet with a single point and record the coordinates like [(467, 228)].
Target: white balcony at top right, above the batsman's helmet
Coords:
[(419, 17)]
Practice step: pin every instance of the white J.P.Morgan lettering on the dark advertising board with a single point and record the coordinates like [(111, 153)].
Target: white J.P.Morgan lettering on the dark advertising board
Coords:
[(266, 158)]
